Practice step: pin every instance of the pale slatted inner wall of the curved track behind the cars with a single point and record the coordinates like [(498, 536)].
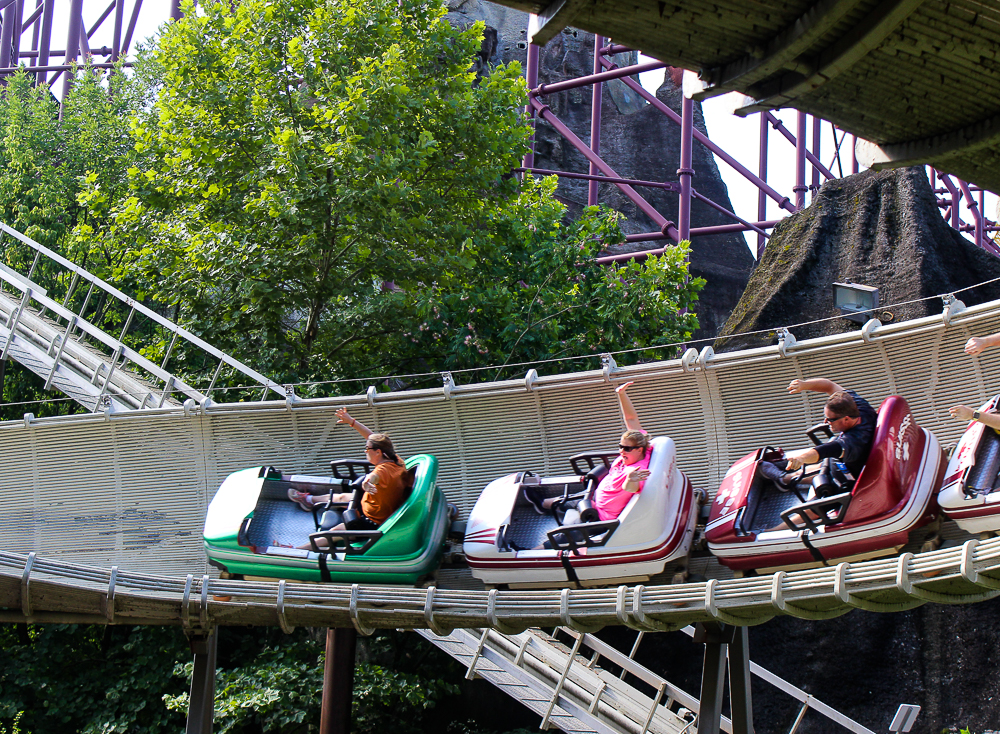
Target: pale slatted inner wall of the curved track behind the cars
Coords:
[(131, 489)]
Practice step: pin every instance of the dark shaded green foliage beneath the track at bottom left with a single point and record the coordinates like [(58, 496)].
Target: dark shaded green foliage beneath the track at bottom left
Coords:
[(119, 680)]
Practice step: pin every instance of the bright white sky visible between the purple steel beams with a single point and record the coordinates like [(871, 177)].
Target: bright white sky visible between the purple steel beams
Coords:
[(738, 136)]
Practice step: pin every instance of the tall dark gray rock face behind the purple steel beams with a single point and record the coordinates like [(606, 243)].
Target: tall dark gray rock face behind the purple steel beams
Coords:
[(637, 141)]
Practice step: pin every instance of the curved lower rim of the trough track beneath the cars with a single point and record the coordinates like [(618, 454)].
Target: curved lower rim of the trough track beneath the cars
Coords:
[(34, 588)]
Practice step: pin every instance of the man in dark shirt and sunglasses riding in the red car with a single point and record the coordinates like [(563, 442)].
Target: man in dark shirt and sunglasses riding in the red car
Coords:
[(852, 419)]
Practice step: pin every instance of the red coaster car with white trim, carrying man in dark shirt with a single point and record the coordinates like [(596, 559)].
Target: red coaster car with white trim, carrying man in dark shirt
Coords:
[(837, 519)]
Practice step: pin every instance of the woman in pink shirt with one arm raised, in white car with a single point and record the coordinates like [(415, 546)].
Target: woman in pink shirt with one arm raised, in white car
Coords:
[(626, 477)]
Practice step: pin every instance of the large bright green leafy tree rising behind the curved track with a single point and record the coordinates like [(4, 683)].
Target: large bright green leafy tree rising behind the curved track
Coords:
[(323, 188)]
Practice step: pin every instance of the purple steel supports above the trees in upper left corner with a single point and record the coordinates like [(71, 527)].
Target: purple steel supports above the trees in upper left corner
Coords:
[(26, 36)]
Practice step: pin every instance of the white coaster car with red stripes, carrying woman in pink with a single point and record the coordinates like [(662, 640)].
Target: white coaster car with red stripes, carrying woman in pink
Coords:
[(654, 529)]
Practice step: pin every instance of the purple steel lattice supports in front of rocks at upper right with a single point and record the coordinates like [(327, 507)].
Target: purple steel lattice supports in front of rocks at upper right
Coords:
[(950, 192)]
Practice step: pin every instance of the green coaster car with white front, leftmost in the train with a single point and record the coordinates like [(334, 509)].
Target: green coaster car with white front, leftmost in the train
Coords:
[(252, 528)]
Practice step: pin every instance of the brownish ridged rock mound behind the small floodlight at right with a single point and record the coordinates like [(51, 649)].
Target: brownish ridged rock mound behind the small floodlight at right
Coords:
[(877, 229)]
